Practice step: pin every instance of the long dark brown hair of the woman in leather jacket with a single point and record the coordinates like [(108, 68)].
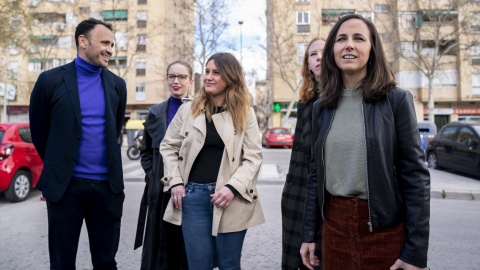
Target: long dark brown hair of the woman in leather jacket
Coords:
[(379, 79)]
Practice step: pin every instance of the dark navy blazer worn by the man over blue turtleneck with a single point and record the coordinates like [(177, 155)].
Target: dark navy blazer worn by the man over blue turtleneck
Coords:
[(56, 127)]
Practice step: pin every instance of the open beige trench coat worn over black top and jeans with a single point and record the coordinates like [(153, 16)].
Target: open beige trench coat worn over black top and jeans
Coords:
[(239, 167)]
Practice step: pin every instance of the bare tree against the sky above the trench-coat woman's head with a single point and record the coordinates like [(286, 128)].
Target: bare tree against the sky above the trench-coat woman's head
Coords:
[(211, 21)]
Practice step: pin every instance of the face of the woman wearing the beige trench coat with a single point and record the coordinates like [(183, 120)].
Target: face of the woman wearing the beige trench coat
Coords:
[(214, 84)]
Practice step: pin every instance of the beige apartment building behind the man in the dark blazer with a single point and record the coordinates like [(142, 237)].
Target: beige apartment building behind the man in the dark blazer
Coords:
[(148, 35)]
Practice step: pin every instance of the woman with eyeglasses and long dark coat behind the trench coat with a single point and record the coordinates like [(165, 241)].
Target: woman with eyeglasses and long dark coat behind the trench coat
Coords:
[(163, 246)]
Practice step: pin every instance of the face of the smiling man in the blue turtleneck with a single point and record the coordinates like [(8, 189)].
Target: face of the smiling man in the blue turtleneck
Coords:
[(97, 48)]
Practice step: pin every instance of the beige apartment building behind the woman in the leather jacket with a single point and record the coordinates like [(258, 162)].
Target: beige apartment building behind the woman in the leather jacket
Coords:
[(407, 29)]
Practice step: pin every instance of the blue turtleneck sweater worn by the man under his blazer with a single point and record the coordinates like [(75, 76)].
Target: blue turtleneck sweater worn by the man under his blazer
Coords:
[(92, 154)]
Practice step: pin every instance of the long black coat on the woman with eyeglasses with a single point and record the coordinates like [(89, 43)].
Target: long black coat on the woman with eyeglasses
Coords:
[(163, 246)]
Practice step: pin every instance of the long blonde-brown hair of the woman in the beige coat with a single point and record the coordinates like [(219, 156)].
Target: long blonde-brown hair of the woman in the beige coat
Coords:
[(238, 99)]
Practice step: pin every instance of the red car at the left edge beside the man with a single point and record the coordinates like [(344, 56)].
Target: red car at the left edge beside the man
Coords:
[(20, 164)]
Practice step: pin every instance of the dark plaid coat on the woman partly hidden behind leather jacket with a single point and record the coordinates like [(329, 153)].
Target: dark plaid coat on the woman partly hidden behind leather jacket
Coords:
[(294, 191)]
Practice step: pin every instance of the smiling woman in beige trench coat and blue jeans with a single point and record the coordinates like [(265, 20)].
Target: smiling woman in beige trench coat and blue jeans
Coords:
[(212, 151)]
